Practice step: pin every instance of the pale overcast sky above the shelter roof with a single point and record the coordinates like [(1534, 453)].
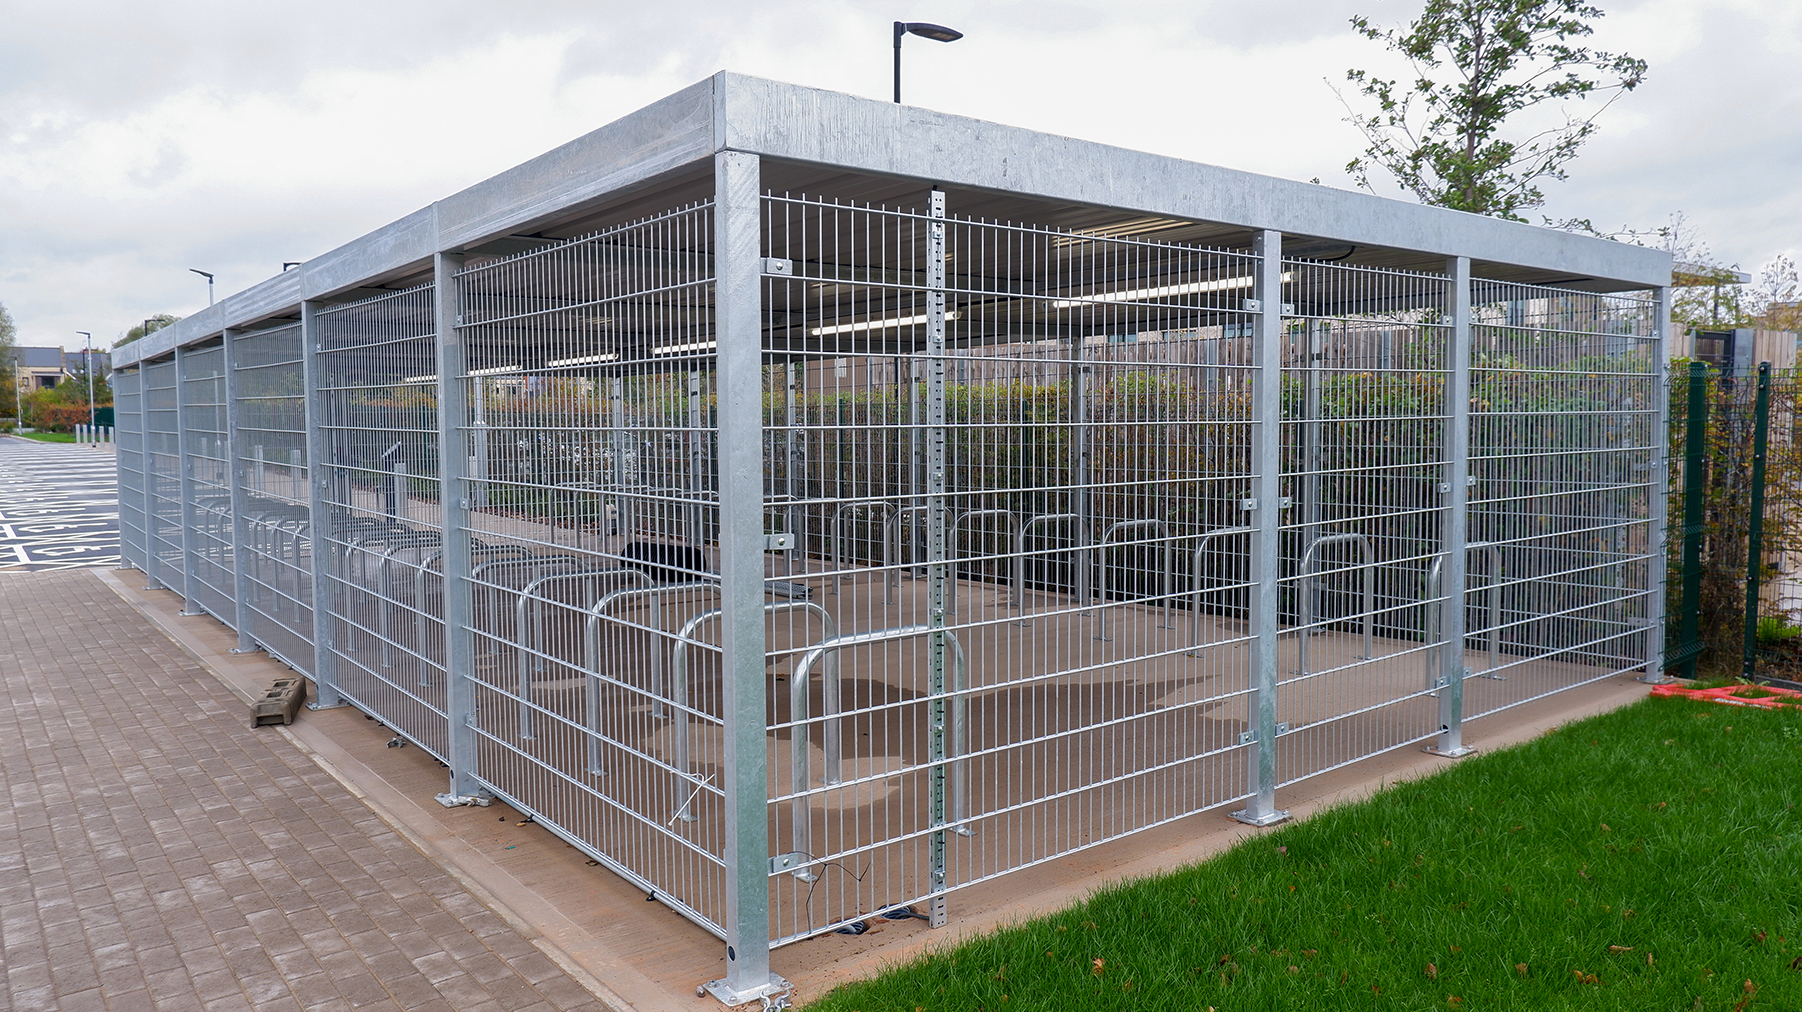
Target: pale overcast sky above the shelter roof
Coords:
[(145, 140)]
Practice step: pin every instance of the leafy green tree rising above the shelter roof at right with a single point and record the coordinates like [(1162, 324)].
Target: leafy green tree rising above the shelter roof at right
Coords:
[(1477, 66)]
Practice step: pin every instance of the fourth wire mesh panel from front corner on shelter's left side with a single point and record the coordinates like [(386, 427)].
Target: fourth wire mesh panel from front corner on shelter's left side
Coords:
[(210, 509)]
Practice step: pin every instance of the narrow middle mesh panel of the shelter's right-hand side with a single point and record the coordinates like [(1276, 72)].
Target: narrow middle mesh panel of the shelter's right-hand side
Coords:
[(1365, 451)]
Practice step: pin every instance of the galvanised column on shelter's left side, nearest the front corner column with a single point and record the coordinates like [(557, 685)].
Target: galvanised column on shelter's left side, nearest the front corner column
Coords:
[(453, 501)]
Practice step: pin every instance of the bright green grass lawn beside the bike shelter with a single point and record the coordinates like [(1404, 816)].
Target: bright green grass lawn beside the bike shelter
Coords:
[(1643, 860)]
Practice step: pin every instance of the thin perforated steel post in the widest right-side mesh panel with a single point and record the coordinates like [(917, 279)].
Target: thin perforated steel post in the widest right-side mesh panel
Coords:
[(938, 554)]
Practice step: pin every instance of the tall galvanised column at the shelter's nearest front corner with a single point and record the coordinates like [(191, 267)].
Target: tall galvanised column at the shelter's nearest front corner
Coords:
[(740, 332)]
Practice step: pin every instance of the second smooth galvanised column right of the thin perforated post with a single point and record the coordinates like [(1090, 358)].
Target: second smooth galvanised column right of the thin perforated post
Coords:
[(1455, 530)]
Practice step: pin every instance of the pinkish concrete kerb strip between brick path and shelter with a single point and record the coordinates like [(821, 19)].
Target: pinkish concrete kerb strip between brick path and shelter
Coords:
[(567, 944)]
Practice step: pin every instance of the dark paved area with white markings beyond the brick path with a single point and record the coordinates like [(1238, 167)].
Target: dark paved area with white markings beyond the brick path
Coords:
[(59, 507)]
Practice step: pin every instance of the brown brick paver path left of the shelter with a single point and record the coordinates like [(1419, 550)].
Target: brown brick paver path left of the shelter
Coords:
[(159, 854)]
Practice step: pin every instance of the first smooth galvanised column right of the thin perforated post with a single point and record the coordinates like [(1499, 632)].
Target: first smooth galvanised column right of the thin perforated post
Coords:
[(1266, 509)]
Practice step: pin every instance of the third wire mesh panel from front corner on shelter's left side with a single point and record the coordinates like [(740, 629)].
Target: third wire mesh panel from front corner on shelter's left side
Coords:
[(271, 447)]
